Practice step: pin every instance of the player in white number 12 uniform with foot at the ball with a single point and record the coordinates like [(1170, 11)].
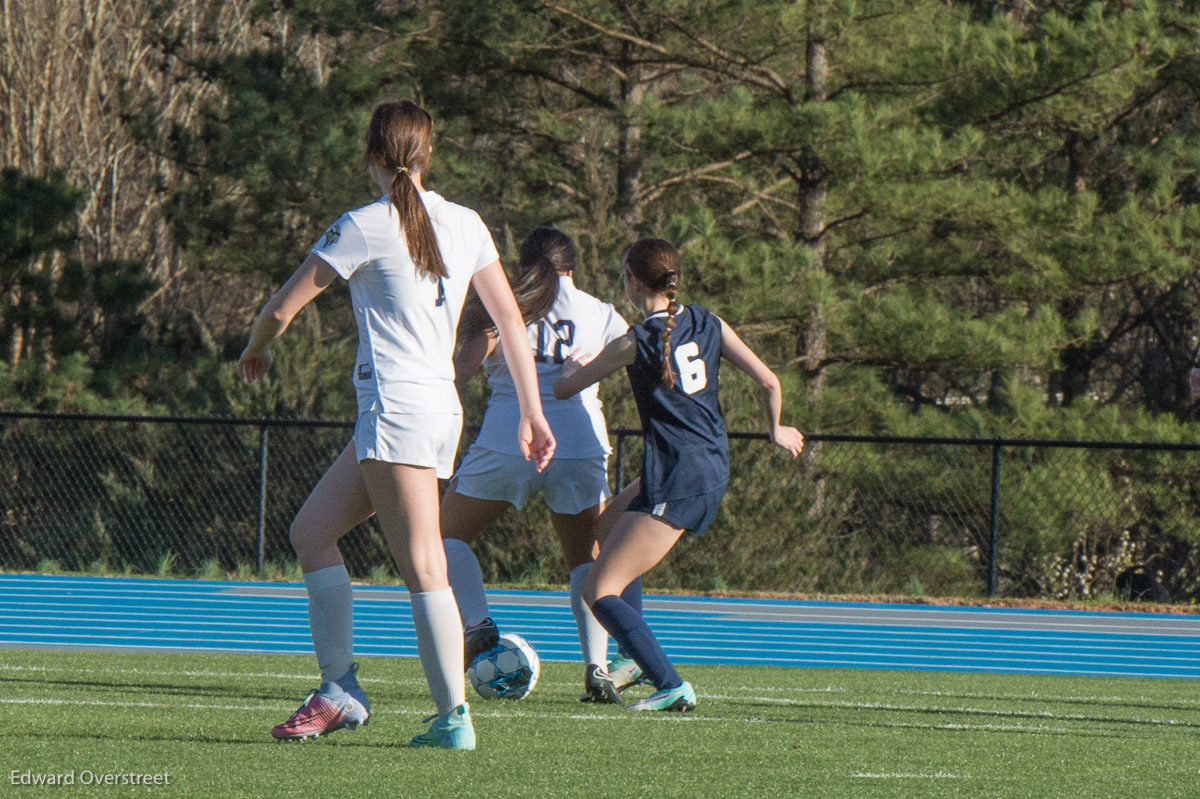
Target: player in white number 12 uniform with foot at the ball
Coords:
[(494, 477)]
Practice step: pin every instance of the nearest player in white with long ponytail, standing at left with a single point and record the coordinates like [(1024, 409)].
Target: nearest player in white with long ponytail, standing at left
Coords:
[(409, 260)]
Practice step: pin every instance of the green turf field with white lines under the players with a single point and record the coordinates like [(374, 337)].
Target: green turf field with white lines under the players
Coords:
[(758, 732)]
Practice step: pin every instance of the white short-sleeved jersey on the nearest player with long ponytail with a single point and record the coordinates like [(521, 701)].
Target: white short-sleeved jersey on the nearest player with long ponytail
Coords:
[(407, 320)]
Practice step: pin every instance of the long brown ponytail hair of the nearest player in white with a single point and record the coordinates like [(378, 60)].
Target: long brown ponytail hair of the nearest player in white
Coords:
[(399, 141)]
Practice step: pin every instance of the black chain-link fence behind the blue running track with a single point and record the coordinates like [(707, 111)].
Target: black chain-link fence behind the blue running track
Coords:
[(854, 515)]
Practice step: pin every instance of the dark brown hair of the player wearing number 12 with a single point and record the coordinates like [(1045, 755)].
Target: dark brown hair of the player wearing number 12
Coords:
[(545, 254)]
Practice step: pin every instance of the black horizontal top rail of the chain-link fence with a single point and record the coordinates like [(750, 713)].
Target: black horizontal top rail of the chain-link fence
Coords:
[(1004, 443)]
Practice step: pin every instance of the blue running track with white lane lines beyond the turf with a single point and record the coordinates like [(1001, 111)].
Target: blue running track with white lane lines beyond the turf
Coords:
[(142, 615)]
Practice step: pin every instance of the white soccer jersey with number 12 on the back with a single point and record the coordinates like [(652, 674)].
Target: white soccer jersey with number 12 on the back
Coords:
[(578, 322)]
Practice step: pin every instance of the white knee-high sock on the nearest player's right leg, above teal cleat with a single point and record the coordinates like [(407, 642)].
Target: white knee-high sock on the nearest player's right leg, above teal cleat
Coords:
[(440, 646)]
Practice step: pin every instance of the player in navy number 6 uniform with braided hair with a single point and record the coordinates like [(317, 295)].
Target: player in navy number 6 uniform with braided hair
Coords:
[(674, 359)]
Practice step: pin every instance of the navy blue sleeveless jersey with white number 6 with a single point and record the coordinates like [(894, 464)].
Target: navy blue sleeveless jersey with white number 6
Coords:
[(687, 449)]
